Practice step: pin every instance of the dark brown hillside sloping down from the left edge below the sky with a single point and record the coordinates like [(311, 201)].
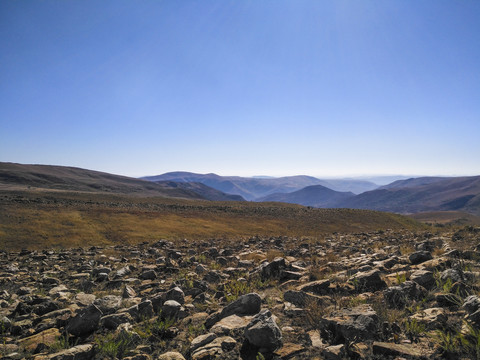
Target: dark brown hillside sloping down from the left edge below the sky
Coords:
[(62, 178)]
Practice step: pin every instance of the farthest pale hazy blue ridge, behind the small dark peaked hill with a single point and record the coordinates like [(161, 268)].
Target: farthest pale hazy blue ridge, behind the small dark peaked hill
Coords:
[(256, 188)]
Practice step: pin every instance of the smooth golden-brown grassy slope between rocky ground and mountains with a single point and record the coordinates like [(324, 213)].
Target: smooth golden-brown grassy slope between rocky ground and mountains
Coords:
[(59, 219)]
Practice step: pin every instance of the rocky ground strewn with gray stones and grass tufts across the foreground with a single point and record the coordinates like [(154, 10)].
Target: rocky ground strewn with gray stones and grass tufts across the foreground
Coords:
[(381, 295)]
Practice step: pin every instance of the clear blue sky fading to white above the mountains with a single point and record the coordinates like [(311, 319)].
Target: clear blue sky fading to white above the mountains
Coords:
[(271, 87)]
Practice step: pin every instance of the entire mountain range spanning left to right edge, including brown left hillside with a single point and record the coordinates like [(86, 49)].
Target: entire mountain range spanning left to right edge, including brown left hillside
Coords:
[(406, 196)]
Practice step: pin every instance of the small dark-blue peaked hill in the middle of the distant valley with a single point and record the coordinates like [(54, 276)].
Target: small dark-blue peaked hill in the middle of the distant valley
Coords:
[(315, 195)]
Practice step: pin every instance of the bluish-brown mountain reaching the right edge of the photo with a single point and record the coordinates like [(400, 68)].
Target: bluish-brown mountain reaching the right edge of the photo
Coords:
[(421, 195)]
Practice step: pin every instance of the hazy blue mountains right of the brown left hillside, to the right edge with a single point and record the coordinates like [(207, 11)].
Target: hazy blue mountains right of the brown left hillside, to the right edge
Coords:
[(406, 196)]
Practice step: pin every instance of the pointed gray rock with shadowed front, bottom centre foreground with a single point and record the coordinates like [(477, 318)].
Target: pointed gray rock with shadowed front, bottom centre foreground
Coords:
[(263, 332)]
